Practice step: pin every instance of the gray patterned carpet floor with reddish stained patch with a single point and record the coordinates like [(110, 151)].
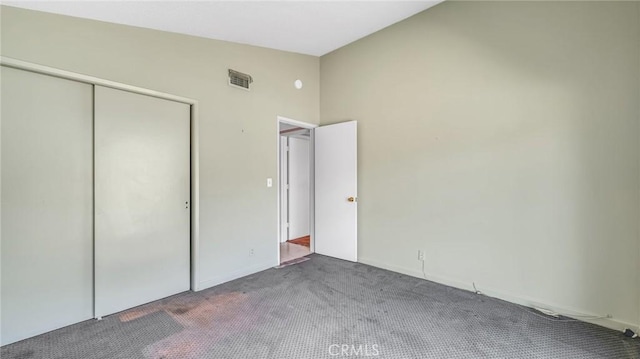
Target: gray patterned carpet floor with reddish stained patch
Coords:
[(327, 308)]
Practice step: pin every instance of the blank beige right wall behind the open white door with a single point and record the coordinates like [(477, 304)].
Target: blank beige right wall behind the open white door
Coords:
[(502, 139)]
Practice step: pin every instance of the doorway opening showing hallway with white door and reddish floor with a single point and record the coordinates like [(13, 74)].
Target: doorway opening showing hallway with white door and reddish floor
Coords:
[(295, 190)]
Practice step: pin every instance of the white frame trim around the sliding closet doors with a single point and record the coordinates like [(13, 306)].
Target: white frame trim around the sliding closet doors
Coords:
[(194, 136)]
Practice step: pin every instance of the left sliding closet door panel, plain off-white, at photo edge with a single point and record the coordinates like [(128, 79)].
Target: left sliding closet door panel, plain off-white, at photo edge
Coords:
[(47, 208)]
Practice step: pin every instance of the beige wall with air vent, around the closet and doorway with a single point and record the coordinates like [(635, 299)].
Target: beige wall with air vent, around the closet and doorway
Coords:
[(237, 128)]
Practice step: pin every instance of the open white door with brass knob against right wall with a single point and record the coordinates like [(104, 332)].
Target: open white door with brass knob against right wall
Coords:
[(336, 205)]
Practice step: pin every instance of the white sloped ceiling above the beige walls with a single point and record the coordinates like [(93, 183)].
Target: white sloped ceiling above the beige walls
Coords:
[(307, 27)]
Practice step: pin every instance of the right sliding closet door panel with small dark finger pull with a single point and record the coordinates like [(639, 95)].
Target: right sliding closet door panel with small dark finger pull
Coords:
[(142, 199)]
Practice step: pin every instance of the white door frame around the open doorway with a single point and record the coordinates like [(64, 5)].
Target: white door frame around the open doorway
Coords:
[(311, 127)]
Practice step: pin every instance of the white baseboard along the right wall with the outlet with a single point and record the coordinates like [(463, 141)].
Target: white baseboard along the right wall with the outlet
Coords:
[(610, 323)]
